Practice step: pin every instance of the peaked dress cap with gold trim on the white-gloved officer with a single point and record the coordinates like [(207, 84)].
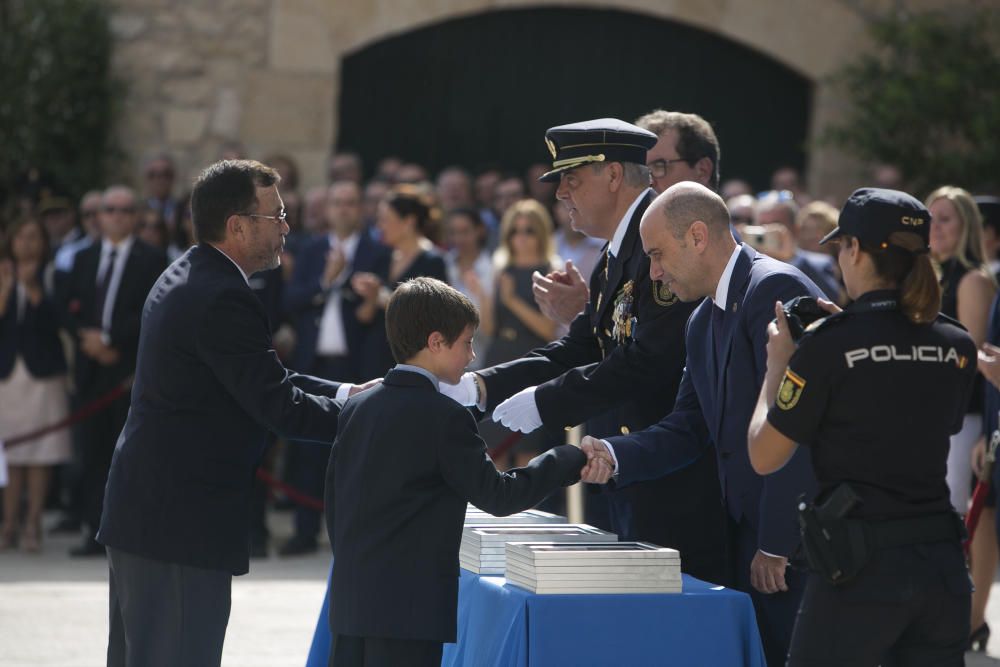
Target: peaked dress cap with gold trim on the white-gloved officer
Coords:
[(601, 140)]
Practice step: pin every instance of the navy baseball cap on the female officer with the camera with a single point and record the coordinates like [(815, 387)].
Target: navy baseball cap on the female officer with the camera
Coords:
[(872, 215)]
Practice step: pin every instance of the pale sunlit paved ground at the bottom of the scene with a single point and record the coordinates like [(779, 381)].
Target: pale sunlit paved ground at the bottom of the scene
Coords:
[(53, 609)]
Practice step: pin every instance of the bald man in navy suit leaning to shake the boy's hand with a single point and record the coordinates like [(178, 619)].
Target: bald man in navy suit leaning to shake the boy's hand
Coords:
[(686, 234)]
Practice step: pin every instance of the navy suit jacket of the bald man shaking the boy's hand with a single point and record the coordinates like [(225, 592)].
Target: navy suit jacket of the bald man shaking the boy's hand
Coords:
[(722, 400)]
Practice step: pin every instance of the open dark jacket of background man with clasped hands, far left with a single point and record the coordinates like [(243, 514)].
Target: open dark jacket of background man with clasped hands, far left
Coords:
[(141, 269)]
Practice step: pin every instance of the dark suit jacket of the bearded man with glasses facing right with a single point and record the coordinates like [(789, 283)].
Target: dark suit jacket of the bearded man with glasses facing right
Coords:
[(208, 387)]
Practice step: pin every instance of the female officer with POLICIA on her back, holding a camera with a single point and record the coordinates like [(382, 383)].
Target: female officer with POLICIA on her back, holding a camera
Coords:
[(875, 392)]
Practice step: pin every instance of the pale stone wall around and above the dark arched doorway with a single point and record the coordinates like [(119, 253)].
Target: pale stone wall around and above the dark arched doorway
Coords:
[(265, 72)]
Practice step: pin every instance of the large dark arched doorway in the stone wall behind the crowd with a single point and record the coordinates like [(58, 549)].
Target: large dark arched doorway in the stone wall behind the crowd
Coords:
[(483, 89)]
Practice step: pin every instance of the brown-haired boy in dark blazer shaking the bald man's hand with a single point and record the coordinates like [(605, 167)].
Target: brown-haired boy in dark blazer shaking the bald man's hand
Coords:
[(396, 529)]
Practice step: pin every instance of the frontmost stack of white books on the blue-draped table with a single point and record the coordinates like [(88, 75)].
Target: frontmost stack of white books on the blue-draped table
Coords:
[(593, 567)]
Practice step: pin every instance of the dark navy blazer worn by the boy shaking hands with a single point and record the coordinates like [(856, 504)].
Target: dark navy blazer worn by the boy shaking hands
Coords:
[(406, 461)]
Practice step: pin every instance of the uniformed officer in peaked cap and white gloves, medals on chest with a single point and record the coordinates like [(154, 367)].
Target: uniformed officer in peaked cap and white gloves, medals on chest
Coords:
[(619, 366)]
